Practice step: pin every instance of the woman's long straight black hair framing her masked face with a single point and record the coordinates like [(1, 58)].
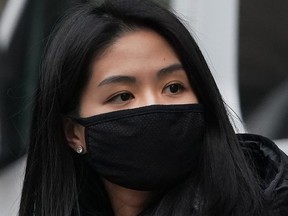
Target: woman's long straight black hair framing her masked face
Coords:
[(57, 183)]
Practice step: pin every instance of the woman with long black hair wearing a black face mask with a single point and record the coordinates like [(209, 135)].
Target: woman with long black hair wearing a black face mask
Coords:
[(129, 121)]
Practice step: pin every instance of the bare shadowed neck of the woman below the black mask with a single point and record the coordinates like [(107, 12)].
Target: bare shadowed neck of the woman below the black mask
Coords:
[(127, 202)]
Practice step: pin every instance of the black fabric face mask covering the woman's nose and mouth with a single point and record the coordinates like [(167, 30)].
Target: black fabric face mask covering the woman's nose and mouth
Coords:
[(146, 148)]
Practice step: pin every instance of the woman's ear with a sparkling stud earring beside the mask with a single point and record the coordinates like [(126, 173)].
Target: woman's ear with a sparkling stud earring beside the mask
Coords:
[(74, 134)]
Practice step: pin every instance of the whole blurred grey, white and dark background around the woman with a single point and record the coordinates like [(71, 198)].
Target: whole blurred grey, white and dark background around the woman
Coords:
[(244, 42)]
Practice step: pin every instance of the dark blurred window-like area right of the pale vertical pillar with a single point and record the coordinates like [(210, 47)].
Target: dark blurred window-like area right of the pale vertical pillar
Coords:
[(263, 66)]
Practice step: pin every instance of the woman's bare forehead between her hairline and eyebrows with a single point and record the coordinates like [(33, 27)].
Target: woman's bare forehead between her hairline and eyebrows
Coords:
[(140, 50)]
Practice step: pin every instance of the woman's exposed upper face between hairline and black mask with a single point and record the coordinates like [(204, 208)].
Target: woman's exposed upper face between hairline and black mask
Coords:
[(138, 69)]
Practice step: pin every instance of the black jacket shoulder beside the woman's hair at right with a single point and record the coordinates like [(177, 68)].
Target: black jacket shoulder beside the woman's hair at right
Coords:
[(271, 165)]
